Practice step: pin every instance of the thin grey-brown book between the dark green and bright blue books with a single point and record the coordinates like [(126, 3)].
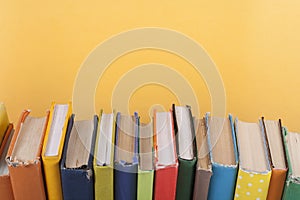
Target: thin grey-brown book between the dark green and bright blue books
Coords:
[(203, 167)]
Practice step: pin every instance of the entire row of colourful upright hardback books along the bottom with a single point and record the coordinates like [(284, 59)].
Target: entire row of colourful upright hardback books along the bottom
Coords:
[(175, 156)]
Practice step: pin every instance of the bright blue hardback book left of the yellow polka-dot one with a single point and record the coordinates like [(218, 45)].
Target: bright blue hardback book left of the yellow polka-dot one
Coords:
[(223, 156)]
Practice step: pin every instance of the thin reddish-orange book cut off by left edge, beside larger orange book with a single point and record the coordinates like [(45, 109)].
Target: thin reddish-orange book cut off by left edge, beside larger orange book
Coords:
[(5, 184)]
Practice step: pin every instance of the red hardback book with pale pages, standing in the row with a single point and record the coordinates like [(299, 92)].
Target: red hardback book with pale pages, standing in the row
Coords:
[(166, 163)]
